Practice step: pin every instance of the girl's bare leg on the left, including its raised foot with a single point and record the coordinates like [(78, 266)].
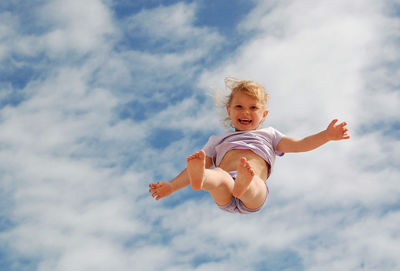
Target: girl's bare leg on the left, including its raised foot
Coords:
[(215, 181)]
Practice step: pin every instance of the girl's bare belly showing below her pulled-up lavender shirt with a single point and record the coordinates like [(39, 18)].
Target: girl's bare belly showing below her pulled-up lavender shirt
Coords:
[(231, 161)]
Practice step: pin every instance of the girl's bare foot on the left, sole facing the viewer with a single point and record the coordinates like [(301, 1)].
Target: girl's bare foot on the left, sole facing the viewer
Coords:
[(195, 168)]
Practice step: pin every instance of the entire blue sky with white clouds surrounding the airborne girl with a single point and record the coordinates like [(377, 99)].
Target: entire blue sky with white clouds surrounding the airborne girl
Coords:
[(100, 98)]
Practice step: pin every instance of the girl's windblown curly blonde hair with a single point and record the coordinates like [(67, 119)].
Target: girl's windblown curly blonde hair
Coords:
[(248, 87)]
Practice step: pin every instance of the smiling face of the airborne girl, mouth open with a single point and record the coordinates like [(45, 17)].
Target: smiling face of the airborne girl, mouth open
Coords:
[(246, 112)]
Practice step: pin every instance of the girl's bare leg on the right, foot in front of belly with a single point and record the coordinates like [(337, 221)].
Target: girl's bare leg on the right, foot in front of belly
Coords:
[(249, 187)]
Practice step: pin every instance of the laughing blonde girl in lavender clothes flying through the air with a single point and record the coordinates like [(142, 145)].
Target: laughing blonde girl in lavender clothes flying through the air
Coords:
[(243, 159)]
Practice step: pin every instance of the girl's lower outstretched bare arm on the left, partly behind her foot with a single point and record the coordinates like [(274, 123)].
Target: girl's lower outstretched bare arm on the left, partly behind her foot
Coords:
[(163, 189)]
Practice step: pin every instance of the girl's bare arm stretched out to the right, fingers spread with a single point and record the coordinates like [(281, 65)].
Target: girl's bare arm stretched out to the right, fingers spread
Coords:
[(333, 132)]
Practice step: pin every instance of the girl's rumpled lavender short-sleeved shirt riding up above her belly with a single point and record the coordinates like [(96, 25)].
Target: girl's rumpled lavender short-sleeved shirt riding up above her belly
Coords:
[(262, 142)]
